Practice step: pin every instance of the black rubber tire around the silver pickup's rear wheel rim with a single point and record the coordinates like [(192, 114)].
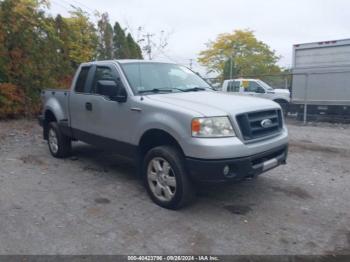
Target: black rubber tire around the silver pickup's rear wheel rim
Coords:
[(64, 143)]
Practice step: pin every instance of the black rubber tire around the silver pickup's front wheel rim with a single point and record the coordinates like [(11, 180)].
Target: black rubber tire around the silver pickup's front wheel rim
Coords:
[(184, 190)]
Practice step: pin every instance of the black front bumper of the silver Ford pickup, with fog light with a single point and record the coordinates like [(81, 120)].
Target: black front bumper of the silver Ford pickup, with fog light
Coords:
[(203, 170)]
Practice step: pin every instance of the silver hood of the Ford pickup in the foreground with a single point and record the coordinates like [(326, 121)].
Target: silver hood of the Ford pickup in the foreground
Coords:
[(210, 103)]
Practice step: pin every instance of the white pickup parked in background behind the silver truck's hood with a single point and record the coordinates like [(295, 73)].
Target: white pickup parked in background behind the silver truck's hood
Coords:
[(257, 88)]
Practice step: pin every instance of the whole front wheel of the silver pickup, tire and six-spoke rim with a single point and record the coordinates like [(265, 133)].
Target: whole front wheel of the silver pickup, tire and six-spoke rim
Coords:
[(166, 179)]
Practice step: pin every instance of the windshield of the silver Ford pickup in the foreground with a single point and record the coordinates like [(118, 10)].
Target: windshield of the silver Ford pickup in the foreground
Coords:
[(162, 77)]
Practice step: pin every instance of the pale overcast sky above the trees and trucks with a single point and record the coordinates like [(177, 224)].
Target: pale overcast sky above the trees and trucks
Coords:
[(189, 25)]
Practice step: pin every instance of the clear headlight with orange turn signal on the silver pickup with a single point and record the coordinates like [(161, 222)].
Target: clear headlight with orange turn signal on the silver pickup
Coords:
[(212, 127)]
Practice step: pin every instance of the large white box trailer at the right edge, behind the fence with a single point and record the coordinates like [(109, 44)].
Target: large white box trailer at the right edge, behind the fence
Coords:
[(321, 78)]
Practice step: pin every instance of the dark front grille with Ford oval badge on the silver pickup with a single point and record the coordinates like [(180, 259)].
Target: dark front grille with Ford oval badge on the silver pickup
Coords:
[(251, 123)]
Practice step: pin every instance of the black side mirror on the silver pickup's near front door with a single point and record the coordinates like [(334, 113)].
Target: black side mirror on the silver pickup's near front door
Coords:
[(113, 90)]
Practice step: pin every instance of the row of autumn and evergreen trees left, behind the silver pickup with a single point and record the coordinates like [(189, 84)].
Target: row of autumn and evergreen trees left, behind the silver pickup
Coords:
[(38, 51)]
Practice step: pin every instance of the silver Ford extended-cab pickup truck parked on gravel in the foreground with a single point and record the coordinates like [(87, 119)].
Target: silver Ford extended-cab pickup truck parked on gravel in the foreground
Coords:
[(169, 120)]
